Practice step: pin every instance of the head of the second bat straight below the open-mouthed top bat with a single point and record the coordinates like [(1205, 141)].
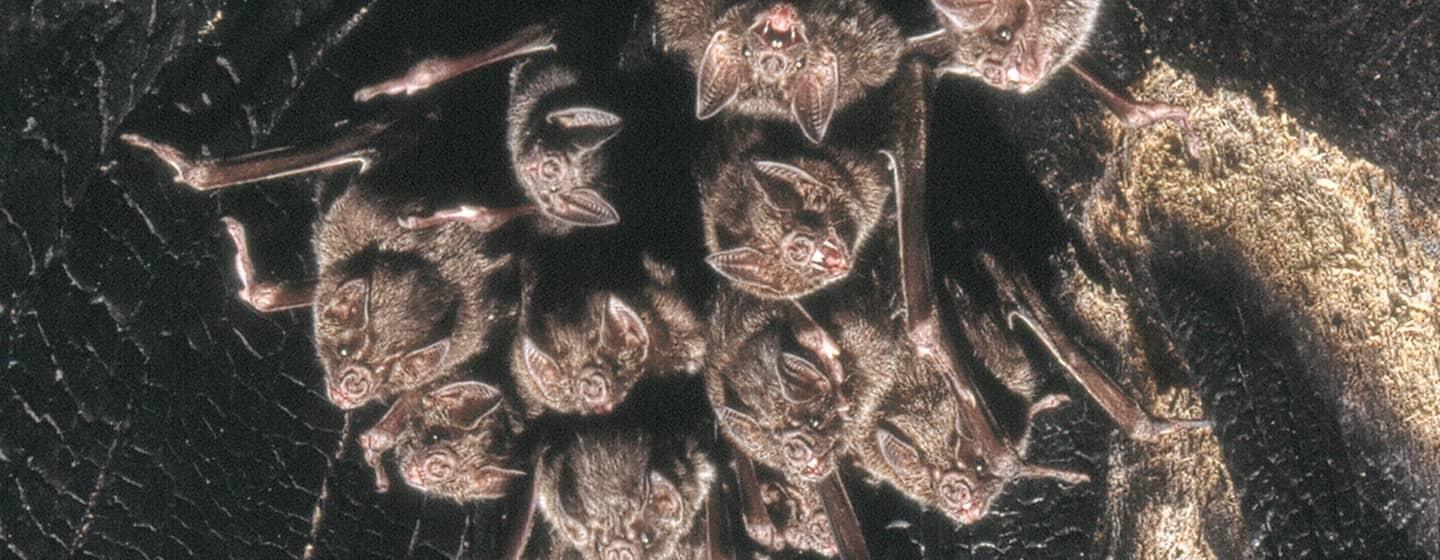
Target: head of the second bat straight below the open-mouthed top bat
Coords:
[(794, 421)]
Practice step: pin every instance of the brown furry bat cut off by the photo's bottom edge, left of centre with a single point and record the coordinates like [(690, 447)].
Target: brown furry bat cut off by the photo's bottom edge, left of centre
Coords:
[(621, 496)]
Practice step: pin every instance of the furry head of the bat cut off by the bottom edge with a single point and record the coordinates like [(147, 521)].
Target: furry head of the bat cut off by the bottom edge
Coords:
[(611, 499)]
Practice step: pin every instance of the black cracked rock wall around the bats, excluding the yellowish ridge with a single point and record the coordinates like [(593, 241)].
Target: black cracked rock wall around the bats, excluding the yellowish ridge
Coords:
[(148, 414)]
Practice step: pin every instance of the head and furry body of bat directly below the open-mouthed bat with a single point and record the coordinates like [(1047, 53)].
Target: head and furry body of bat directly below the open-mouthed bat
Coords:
[(801, 224)]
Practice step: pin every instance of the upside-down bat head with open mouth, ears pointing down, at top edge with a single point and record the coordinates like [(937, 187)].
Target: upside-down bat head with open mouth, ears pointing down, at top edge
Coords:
[(771, 58)]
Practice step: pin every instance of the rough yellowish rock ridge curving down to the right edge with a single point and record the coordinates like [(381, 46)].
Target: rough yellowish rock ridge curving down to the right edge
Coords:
[(1327, 235)]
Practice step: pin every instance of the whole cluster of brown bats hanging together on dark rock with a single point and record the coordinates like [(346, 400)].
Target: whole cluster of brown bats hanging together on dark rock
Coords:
[(822, 348)]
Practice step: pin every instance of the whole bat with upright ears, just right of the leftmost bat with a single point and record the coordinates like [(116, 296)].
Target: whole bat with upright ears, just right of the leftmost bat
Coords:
[(587, 361)]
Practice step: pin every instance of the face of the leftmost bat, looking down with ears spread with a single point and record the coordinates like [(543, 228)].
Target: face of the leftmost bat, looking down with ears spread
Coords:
[(382, 333)]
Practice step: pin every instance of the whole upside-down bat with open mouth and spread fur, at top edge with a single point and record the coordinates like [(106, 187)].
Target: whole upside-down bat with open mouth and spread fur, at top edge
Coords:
[(794, 61)]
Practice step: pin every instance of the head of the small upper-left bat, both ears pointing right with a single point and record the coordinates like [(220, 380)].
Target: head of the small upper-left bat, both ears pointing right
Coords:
[(559, 153)]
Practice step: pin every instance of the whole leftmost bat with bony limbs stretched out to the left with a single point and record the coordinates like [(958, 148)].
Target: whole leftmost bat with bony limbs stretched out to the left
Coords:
[(394, 309)]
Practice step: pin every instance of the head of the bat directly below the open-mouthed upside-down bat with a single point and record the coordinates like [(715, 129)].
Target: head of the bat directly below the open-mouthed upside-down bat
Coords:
[(807, 244)]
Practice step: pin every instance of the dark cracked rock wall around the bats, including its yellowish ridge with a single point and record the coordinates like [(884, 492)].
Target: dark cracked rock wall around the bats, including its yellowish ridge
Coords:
[(145, 412)]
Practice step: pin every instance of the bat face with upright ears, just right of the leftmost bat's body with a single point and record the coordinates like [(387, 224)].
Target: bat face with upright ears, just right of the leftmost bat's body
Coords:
[(593, 365)]
